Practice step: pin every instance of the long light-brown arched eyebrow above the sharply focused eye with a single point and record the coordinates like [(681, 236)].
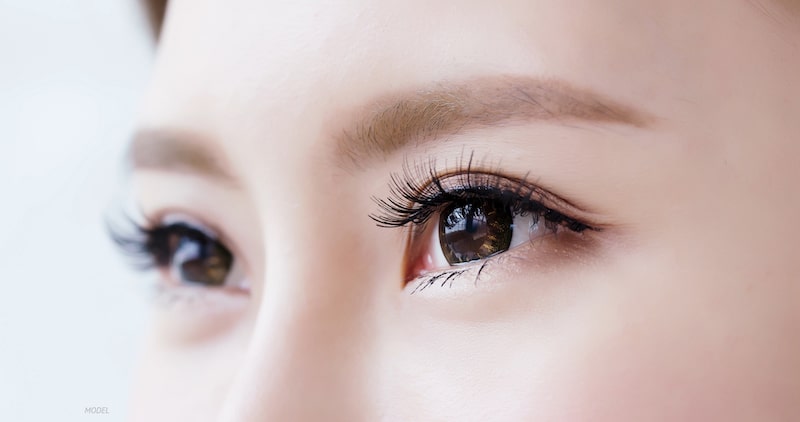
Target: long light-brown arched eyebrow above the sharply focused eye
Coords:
[(448, 109)]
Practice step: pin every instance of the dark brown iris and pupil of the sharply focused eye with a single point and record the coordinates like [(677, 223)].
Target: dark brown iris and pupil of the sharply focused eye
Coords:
[(475, 230)]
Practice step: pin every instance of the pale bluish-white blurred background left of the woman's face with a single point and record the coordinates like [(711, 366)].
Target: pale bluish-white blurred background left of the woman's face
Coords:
[(71, 312)]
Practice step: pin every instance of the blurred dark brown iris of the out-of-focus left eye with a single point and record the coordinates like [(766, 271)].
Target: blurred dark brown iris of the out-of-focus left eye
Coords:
[(199, 259)]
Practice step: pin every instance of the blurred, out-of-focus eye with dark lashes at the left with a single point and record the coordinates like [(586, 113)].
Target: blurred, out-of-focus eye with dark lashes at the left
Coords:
[(186, 254)]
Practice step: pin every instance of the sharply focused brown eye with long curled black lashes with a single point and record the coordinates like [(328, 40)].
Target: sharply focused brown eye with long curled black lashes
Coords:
[(461, 219)]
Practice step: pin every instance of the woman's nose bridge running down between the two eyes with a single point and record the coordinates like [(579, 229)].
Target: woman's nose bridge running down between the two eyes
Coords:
[(308, 353)]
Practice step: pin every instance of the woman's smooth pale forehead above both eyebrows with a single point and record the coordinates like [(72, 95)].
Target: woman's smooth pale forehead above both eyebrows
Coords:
[(299, 68)]
